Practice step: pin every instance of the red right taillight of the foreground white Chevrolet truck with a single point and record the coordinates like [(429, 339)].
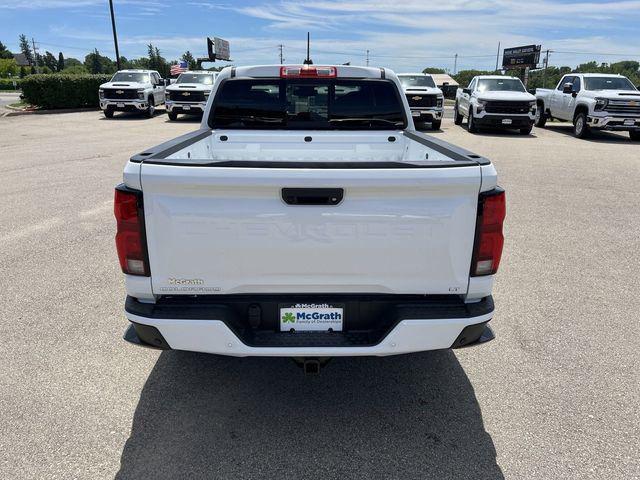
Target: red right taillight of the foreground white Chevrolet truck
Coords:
[(489, 240)]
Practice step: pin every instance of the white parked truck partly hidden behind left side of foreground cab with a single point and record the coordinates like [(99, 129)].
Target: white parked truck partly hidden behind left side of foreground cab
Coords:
[(190, 93)]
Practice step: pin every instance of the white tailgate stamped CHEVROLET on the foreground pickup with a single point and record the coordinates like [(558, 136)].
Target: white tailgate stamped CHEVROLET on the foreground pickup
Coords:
[(228, 230)]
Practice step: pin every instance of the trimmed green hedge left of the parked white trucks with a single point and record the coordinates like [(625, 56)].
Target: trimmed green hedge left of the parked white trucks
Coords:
[(62, 91)]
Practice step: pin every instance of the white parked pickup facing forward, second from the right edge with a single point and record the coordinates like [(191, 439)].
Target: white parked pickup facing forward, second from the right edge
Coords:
[(495, 101)]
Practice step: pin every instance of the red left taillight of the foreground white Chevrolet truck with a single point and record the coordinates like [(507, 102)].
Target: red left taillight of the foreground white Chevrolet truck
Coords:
[(130, 242)]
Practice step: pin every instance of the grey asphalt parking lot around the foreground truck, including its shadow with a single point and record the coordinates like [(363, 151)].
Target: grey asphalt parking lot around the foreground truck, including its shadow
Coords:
[(556, 395)]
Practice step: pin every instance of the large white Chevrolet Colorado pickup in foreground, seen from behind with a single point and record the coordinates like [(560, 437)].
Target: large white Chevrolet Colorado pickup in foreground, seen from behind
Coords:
[(307, 218)]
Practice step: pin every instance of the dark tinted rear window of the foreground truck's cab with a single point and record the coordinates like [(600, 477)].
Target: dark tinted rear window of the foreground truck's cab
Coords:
[(307, 104)]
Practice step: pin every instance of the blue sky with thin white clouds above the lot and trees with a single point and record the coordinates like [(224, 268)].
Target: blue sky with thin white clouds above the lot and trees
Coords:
[(404, 36)]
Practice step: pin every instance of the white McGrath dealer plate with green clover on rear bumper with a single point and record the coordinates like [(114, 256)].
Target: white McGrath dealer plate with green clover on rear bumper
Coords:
[(311, 317)]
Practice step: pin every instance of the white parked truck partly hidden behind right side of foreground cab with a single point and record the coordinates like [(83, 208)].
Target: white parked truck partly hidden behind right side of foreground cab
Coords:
[(425, 99)]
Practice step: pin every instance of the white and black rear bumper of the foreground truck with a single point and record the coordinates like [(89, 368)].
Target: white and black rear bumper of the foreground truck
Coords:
[(395, 327)]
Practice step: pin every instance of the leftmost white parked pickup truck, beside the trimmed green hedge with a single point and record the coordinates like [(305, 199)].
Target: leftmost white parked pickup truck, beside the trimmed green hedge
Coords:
[(132, 91)]
